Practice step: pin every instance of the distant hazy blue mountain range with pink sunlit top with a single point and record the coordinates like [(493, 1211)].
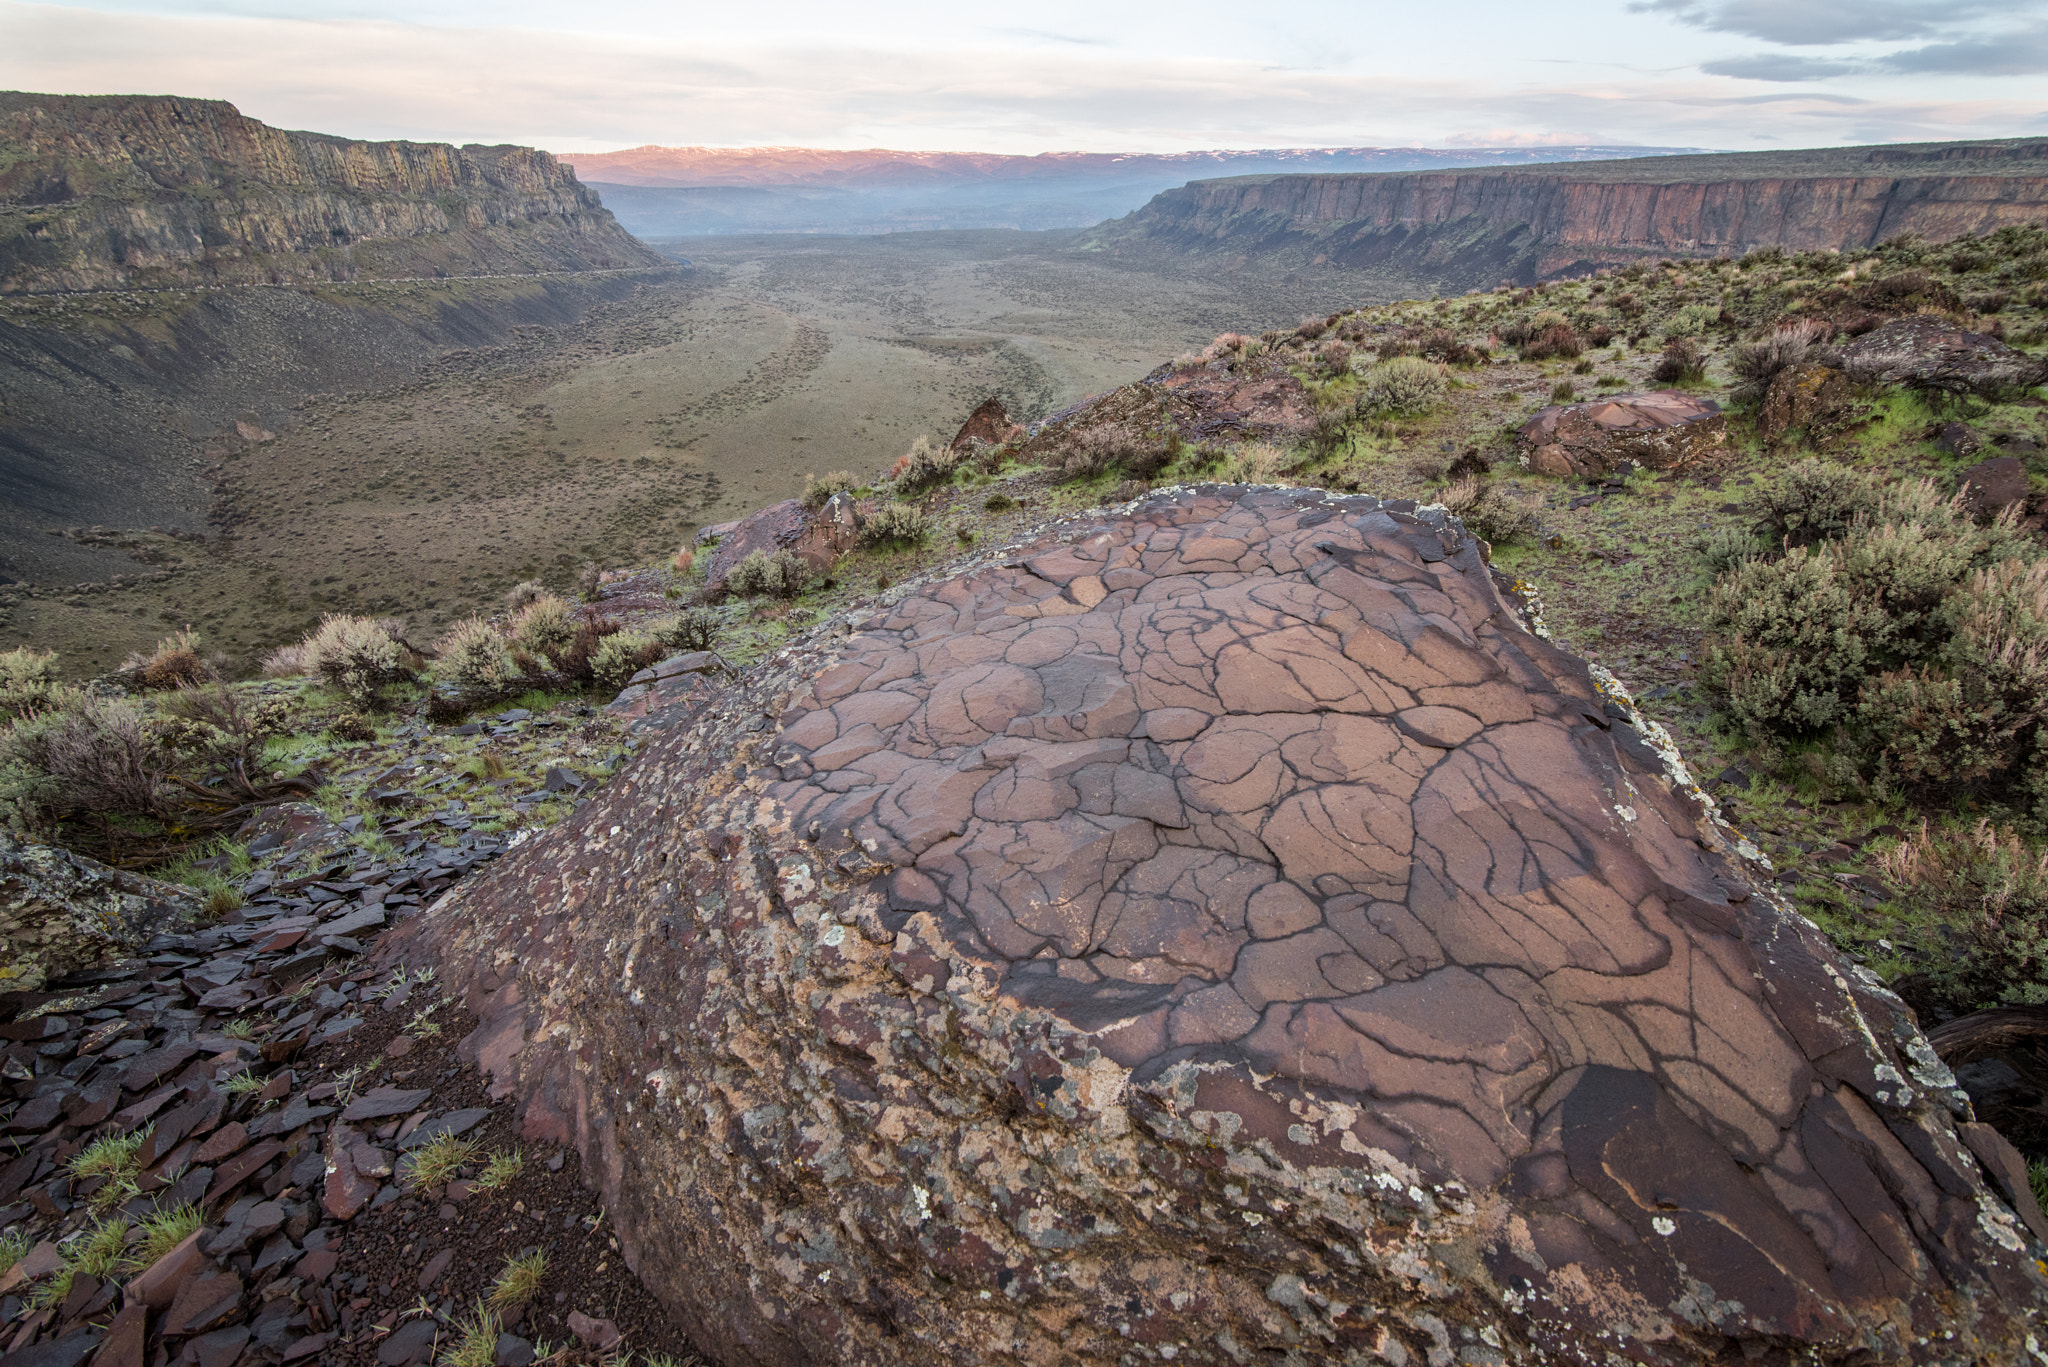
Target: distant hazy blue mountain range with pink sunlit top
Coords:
[(697, 192)]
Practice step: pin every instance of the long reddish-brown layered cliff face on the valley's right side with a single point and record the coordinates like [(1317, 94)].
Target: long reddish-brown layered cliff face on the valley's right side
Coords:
[(1529, 222)]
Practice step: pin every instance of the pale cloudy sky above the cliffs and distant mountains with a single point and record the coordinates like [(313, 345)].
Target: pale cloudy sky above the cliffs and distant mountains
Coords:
[(1068, 75)]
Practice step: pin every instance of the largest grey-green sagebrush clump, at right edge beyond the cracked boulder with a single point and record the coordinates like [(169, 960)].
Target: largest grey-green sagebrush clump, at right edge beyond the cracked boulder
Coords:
[(1906, 634)]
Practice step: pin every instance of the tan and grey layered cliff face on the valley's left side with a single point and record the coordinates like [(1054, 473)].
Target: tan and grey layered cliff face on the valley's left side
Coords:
[(144, 192)]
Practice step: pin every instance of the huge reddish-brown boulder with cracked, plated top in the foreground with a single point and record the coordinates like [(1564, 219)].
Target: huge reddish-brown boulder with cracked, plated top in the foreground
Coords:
[(1224, 936)]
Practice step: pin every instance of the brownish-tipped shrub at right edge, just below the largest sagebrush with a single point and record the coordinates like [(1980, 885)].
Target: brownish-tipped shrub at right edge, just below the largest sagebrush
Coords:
[(1986, 913)]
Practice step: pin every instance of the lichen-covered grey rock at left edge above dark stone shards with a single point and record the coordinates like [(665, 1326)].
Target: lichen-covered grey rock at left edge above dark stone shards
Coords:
[(62, 913)]
